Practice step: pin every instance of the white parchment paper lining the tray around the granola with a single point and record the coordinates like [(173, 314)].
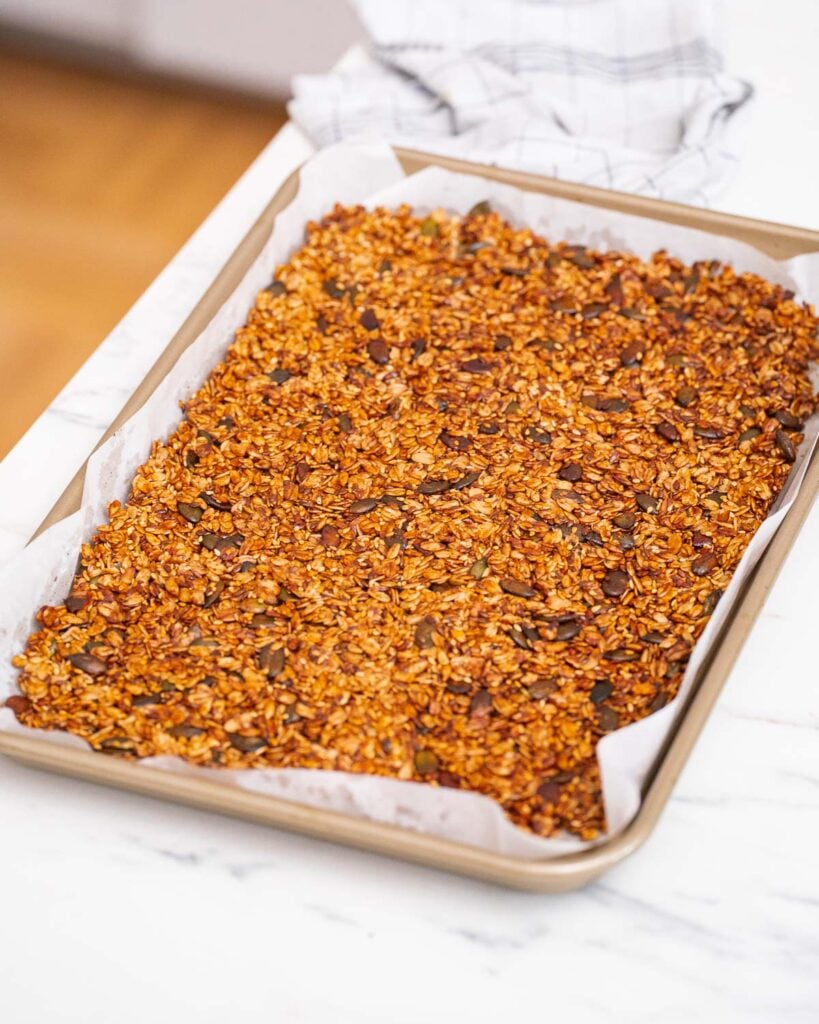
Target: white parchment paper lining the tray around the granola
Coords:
[(42, 574)]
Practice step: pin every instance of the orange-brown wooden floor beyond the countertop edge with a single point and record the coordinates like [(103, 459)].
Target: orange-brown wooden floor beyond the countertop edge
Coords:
[(102, 180)]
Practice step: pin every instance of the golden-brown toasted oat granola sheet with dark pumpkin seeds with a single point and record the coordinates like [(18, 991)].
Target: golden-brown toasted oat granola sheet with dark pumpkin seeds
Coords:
[(457, 503)]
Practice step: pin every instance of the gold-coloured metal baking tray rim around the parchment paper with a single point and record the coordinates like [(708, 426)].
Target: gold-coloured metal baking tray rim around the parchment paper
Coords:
[(556, 875)]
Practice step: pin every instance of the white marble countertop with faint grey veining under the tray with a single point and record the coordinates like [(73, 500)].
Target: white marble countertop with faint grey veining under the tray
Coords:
[(116, 908)]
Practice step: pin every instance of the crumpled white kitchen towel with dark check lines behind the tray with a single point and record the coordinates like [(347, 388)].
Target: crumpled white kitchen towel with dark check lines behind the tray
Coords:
[(625, 95)]
